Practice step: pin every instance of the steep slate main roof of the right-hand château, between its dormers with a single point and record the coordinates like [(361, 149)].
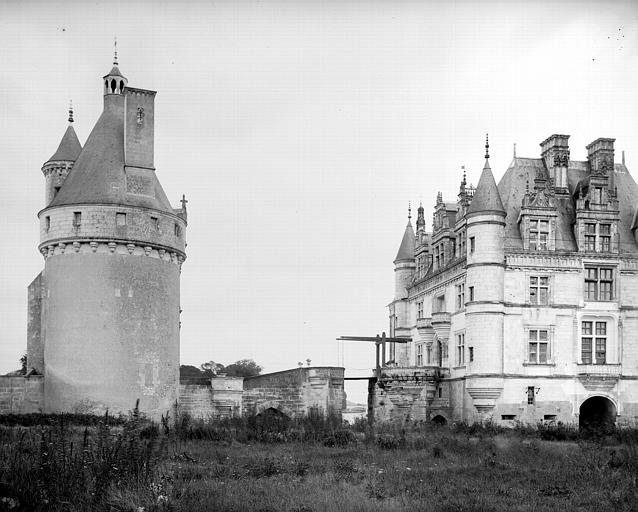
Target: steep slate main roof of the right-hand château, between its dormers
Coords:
[(522, 171)]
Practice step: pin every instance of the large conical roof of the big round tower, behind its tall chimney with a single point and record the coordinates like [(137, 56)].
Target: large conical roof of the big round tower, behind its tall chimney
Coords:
[(99, 176)]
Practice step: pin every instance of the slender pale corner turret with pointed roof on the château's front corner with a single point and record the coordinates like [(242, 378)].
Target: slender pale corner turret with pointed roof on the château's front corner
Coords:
[(484, 292)]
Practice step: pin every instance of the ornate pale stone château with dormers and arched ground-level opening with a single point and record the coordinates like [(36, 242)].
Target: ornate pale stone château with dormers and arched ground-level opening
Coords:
[(521, 304)]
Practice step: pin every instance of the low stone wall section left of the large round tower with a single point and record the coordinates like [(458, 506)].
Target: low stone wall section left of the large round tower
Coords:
[(21, 395)]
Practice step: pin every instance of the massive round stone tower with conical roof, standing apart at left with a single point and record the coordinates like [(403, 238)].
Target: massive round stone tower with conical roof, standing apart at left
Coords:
[(104, 315)]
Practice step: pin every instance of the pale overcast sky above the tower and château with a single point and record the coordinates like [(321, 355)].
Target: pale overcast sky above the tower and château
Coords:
[(299, 132)]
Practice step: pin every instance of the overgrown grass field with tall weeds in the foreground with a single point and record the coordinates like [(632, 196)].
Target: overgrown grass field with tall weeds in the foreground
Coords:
[(316, 466)]
